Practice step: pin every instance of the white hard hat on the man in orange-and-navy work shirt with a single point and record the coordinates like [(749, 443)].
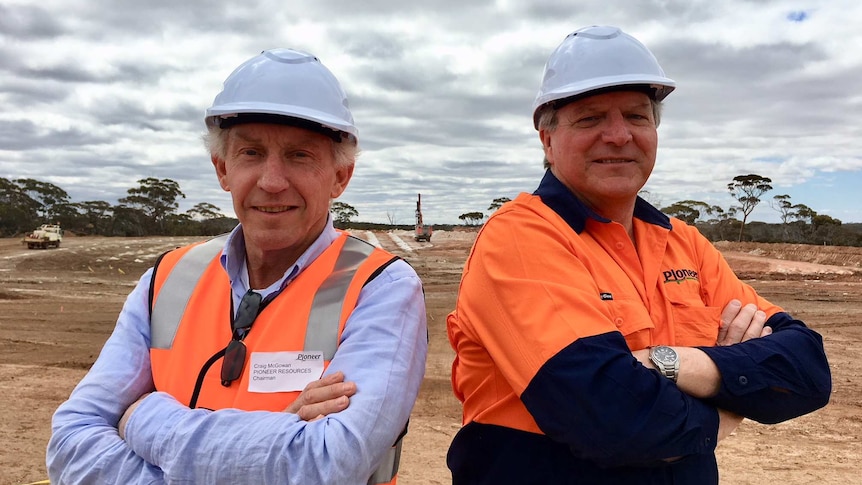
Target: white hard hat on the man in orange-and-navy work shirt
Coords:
[(599, 57)]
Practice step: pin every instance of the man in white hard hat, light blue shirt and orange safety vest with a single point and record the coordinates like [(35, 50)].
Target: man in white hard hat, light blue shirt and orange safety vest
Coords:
[(286, 352)]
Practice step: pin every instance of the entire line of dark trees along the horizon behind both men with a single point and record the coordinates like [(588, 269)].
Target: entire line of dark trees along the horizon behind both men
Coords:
[(151, 208)]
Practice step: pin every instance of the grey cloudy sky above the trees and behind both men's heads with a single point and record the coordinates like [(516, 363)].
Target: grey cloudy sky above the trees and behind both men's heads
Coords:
[(97, 94)]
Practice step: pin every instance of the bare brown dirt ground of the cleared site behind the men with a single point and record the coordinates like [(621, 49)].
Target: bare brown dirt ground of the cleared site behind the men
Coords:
[(58, 306)]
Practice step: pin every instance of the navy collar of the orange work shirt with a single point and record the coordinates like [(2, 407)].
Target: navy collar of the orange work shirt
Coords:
[(561, 200)]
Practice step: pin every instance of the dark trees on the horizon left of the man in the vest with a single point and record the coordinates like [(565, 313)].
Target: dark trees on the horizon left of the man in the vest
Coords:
[(149, 209)]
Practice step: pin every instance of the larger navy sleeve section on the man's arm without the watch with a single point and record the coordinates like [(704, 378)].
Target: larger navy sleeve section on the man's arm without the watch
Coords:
[(607, 407)]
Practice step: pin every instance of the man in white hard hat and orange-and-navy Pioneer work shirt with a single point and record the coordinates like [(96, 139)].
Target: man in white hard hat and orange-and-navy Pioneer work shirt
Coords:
[(597, 340)]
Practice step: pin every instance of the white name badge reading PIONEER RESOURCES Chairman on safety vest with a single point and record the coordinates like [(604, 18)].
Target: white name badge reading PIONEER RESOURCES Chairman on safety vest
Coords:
[(284, 371)]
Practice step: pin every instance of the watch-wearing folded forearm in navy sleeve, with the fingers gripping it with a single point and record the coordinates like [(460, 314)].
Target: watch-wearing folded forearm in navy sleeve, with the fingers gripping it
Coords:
[(766, 370)]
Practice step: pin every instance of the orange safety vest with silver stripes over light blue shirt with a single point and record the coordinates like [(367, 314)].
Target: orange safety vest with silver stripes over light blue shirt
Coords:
[(190, 324)]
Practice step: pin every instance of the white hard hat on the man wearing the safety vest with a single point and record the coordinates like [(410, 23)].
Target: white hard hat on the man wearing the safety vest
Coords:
[(283, 83)]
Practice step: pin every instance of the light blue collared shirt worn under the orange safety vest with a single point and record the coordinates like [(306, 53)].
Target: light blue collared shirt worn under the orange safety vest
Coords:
[(382, 349)]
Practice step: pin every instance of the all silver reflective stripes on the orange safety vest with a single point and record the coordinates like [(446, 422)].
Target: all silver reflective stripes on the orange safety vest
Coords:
[(321, 333)]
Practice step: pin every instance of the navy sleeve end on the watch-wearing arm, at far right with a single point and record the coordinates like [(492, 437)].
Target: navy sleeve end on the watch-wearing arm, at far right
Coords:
[(774, 378)]
